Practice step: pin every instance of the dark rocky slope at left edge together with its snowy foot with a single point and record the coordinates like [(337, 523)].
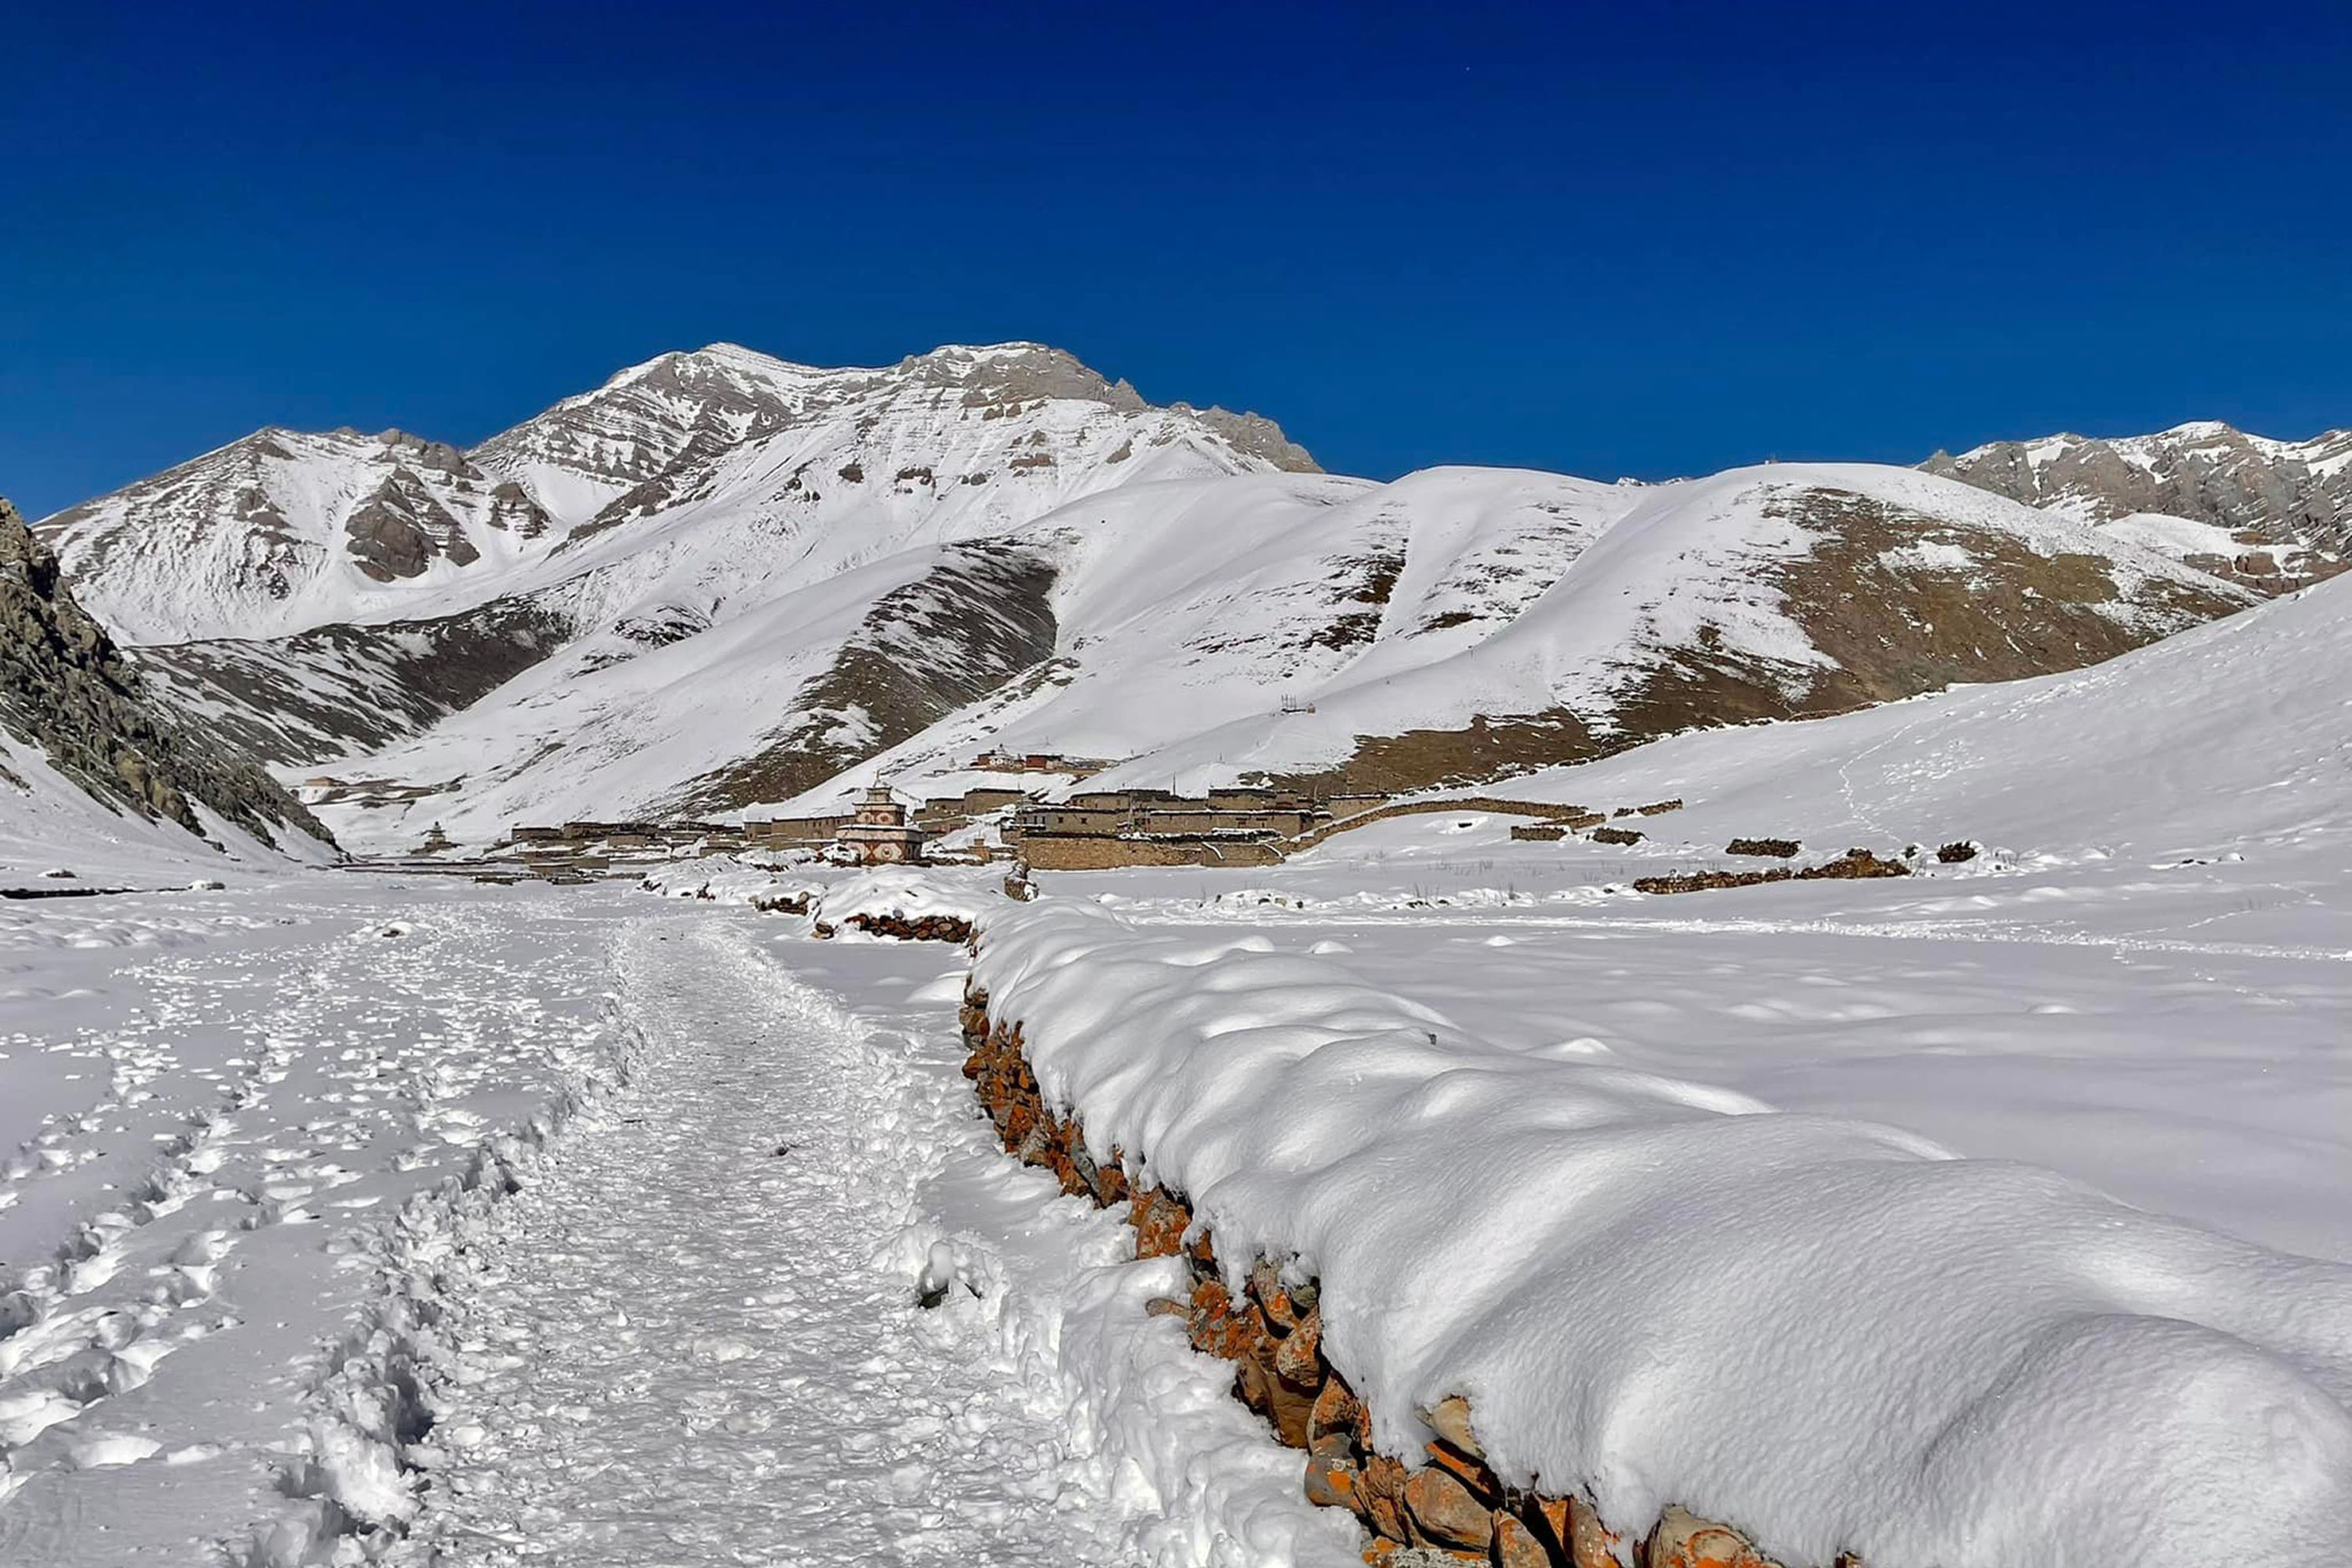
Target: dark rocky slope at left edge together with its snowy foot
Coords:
[(88, 763)]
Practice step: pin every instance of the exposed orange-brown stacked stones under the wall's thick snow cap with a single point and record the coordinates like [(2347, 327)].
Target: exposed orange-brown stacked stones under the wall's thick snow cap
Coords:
[(1445, 1499)]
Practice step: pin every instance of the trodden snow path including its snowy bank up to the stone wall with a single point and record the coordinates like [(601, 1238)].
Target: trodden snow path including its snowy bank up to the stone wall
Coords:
[(697, 1334)]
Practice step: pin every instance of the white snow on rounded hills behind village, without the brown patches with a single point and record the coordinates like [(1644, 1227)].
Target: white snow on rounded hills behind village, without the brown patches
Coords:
[(1184, 612)]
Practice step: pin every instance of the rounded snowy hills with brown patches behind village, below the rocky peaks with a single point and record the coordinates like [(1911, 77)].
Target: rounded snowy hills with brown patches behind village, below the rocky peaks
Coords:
[(1452, 626)]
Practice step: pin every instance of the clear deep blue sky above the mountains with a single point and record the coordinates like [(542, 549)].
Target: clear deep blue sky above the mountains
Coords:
[(1601, 239)]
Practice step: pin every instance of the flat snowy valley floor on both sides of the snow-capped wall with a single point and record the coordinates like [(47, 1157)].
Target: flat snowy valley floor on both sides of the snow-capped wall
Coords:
[(354, 1219)]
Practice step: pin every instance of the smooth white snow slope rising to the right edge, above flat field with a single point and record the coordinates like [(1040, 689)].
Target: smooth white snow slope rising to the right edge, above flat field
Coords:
[(2219, 742)]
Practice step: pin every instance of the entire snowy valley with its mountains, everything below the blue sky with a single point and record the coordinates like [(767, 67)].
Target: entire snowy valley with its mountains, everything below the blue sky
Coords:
[(1518, 1160)]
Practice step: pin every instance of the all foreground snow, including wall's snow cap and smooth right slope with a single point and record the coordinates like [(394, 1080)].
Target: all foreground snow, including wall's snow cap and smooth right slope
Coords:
[(396, 1219)]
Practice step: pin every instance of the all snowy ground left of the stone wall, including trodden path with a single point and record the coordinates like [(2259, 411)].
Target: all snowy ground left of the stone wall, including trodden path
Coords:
[(382, 1221)]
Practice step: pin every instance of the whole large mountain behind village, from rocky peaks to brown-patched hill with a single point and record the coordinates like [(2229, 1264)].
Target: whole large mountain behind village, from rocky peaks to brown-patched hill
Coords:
[(726, 582)]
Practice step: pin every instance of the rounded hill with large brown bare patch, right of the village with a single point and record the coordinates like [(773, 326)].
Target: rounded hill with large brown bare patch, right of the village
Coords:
[(1756, 594)]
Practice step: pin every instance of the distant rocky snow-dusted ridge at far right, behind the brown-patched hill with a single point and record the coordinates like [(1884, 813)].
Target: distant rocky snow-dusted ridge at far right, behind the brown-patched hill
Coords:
[(2261, 511)]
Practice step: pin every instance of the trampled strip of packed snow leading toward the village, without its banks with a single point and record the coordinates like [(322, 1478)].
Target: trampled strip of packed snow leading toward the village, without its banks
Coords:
[(688, 1348)]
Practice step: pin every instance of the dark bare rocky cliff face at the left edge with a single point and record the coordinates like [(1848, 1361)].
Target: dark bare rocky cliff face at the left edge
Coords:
[(69, 690)]
